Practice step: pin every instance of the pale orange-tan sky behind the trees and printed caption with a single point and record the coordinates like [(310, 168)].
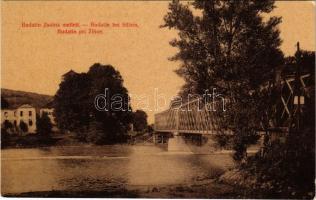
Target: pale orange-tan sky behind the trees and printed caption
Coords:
[(34, 59)]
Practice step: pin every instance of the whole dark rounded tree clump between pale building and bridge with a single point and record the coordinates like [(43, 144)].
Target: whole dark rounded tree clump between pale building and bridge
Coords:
[(75, 108)]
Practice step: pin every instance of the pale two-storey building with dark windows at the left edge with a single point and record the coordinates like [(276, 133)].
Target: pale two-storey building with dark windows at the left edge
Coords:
[(25, 113)]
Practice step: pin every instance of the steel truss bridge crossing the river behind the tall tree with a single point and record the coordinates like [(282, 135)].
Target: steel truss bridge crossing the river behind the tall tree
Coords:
[(196, 119)]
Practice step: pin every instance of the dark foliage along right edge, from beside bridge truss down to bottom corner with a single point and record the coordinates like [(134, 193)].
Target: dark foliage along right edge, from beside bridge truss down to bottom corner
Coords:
[(287, 166)]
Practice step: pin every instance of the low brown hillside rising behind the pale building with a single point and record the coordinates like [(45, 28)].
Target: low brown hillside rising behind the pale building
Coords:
[(17, 98)]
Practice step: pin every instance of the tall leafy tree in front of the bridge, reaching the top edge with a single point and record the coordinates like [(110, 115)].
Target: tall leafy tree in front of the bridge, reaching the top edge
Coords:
[(229, 47)]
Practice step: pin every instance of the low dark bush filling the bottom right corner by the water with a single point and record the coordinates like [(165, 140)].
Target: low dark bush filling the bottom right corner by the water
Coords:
[(286, 169)]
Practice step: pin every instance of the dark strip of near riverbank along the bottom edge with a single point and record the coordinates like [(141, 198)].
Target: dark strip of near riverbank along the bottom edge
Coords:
[(205, 189)]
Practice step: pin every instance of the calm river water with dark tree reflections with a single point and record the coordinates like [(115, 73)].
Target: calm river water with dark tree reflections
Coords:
[(99, 168)]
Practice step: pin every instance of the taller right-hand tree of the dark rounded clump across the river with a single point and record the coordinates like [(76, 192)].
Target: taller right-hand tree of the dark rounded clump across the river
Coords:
[(118, 116)]
